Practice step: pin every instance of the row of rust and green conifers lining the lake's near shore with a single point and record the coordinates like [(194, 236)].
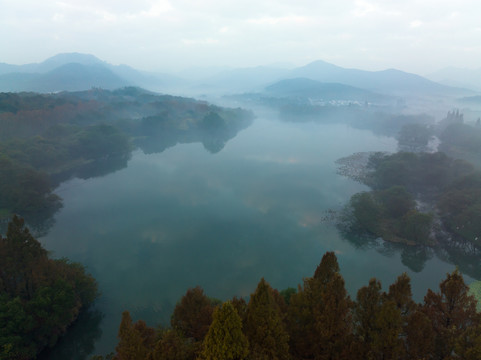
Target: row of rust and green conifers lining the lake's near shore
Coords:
[(318, 321)]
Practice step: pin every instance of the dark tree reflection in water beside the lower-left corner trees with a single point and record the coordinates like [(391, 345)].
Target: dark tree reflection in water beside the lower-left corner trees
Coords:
[(78, 342)]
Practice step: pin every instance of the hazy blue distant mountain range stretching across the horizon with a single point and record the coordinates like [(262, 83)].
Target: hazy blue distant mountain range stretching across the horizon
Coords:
[(74, 71)]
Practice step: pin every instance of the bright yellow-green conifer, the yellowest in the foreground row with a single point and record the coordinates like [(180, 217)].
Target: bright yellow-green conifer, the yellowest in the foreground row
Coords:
[(225, 340)]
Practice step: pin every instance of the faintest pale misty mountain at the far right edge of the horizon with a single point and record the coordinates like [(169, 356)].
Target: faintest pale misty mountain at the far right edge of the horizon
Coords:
[(470, 78)]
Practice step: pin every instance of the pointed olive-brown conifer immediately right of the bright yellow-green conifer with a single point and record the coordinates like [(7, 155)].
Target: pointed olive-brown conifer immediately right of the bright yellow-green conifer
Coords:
[(265, 330)]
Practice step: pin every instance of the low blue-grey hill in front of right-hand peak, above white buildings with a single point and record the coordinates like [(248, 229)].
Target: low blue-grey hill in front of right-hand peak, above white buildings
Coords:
[(307, 88)]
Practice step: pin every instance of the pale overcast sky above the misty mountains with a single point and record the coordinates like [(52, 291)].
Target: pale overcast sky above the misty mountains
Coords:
[(419, 36)]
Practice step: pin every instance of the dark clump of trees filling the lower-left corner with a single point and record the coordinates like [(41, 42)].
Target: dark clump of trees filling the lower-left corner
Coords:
[(39, 297)]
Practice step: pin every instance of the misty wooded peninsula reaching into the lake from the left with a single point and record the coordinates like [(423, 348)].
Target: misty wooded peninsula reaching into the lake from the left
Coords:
[(48, 138)]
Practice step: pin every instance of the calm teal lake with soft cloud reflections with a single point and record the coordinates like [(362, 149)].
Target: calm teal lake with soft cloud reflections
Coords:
[(186, 217)]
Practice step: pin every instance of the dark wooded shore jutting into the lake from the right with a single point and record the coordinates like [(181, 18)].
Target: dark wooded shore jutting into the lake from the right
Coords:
[(449, 190)]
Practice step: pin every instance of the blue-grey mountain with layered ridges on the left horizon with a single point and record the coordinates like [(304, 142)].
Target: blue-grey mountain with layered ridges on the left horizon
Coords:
[(75, 71)]
